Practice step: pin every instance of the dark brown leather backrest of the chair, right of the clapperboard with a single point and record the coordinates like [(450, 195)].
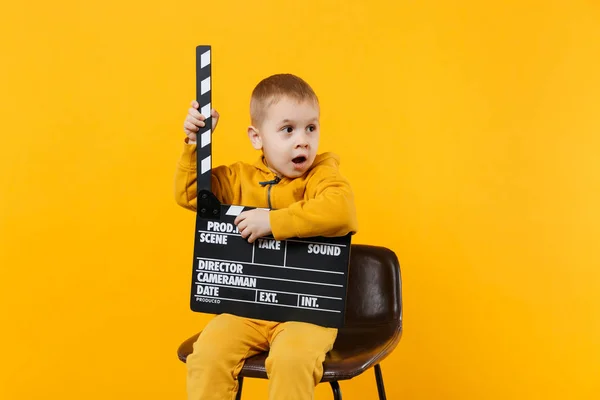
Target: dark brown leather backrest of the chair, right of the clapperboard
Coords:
[(374, 294)]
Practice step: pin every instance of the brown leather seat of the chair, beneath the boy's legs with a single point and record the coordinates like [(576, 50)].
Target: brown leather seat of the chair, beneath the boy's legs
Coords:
[(355, 350)]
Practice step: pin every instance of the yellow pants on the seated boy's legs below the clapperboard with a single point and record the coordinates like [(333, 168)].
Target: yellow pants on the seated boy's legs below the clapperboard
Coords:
[(294, 365)]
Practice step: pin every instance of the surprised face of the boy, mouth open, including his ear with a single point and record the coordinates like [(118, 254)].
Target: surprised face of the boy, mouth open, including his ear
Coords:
[(288, 136)]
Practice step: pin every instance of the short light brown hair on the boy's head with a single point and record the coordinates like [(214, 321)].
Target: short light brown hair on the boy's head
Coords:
[(271, 89)]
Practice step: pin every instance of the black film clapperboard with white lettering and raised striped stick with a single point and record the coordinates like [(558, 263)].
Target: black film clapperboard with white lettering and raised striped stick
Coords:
[(288, 280)]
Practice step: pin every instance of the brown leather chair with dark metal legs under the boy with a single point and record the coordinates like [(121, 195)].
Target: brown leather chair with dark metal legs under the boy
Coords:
[(373, 324)]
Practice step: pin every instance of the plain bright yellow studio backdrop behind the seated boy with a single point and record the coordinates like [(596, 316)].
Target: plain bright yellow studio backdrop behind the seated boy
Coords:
[(469, 129)]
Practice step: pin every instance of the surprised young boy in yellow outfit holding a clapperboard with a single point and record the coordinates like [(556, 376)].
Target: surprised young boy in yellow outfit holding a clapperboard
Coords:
[(307, 197)]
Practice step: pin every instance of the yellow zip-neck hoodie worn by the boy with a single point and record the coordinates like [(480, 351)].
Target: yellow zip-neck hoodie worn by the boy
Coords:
[(320, 203)]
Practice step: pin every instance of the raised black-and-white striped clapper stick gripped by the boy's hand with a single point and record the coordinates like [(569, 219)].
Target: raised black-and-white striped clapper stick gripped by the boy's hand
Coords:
[(208, 205)]
